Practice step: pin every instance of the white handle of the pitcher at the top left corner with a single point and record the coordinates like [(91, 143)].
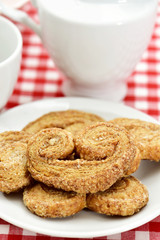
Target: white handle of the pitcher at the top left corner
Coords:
[(20, 16)]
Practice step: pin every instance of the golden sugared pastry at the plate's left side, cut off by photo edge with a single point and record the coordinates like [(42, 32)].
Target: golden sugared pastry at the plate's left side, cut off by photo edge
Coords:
[(13, 157)]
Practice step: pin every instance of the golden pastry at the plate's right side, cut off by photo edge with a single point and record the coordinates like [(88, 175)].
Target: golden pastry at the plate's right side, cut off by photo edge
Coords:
[(147, 136)]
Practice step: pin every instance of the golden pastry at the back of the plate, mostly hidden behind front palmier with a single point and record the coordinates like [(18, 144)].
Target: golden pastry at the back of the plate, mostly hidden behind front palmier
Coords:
[(71, 120)]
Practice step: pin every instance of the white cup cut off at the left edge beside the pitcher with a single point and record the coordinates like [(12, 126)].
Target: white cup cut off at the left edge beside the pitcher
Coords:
[(10, 58)]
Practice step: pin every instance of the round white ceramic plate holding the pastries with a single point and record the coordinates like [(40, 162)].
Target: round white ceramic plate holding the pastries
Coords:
[(86, 223)]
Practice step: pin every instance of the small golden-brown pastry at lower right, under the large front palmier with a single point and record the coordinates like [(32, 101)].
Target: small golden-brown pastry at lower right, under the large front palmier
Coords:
[(126, 197)]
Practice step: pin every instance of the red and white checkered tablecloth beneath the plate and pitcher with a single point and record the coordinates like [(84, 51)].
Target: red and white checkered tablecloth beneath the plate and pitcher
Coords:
[(39, 78)]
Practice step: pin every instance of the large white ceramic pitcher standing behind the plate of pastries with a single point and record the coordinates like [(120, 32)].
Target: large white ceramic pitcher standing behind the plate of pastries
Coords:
[(95, 43)]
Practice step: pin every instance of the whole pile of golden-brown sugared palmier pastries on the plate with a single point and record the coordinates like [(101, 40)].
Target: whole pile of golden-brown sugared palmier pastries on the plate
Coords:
[(69, 160)]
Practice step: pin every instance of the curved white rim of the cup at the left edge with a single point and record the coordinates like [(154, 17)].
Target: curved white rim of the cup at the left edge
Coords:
[(19, 41)]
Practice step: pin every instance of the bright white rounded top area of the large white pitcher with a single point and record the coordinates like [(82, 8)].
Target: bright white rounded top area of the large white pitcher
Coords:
[(98, 11)]
